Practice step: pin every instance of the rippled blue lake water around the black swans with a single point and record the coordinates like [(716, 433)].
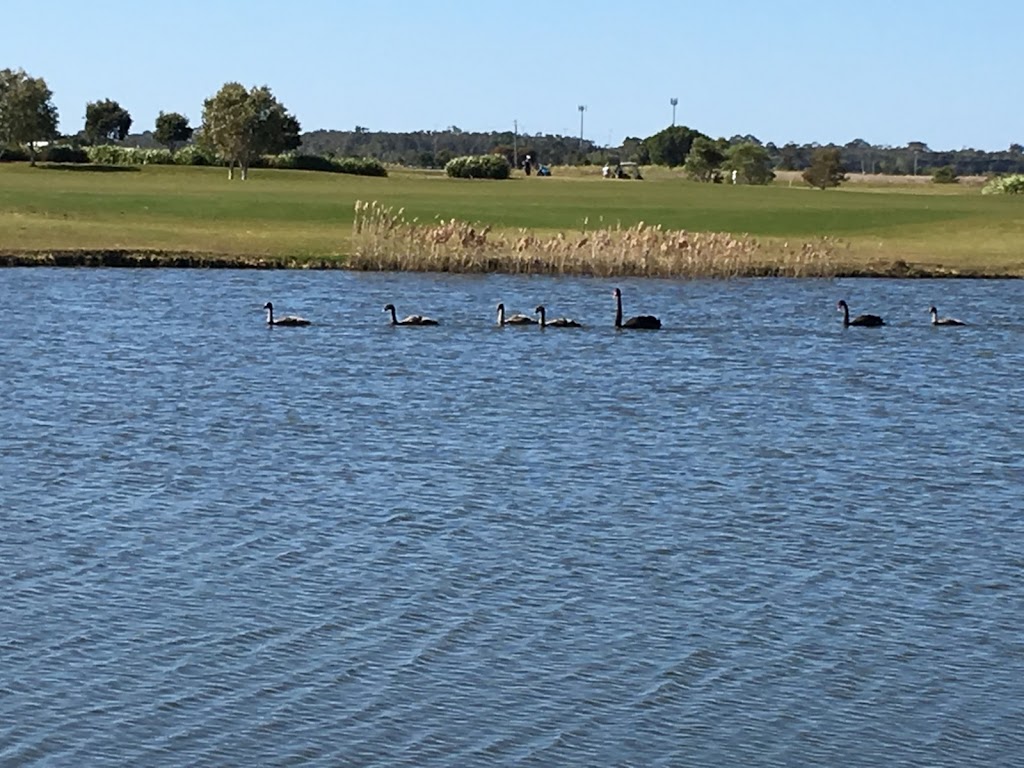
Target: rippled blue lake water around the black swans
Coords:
[(750, 539)]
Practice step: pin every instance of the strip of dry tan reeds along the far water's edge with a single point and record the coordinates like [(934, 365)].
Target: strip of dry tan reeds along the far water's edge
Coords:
[(385, 240)]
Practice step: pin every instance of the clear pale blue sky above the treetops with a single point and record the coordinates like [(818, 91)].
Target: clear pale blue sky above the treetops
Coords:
[(945, 72)]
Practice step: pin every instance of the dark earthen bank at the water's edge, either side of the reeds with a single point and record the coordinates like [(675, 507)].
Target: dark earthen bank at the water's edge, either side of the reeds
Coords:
[(173, 260)]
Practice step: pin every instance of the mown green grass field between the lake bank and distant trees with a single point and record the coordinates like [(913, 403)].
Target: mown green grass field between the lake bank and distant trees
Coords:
[(295, 215)]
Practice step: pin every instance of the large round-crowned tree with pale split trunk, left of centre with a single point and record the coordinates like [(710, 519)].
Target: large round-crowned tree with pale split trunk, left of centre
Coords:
[(242, 124)]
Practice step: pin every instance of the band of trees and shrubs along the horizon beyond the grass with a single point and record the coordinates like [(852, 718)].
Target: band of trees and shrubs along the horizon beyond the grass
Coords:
[(239, 125)]
